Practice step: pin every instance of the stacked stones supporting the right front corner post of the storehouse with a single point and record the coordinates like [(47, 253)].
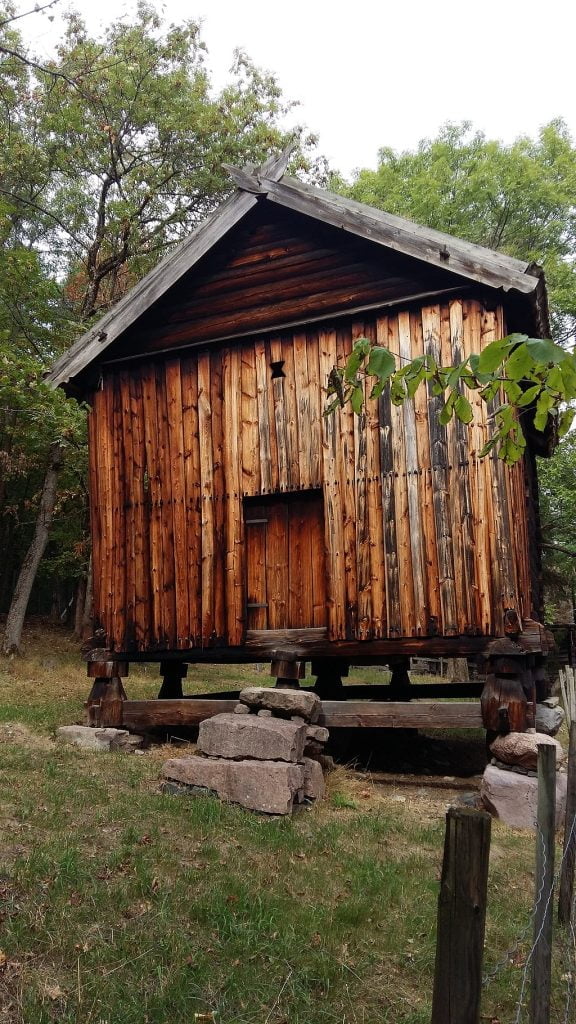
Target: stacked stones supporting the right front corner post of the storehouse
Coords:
[(510, 786)]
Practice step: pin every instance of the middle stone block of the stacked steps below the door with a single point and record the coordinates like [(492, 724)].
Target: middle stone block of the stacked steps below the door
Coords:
[(242, 737)]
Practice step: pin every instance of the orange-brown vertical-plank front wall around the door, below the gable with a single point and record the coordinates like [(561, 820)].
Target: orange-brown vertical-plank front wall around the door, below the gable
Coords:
[(421, 537)]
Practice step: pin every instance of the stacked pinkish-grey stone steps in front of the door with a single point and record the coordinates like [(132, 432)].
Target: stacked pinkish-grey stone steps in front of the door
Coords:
[(264, 756)]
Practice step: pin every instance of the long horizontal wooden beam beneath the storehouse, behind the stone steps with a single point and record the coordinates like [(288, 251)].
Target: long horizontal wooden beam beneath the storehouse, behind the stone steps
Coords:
[(188, 712)]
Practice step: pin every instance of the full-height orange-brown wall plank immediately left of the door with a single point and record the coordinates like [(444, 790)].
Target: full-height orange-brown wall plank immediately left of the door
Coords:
[(235, 583)]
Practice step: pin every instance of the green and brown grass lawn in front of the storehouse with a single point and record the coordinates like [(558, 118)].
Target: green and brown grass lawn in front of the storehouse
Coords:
[(122, 906)]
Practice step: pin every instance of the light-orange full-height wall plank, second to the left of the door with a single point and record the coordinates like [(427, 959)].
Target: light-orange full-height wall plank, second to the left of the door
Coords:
[(207, 495)]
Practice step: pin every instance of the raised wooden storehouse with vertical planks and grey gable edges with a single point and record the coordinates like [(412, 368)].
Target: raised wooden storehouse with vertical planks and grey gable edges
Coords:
[(232, 521)]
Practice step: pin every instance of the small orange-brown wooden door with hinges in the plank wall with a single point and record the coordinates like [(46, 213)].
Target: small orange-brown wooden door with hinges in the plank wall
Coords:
[(285, 563)]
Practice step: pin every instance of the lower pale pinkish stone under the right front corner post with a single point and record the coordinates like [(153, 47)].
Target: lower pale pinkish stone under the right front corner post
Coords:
[(514, 798)]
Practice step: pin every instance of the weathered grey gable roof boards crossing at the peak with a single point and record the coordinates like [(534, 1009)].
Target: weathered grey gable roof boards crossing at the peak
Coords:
[(470, 262)]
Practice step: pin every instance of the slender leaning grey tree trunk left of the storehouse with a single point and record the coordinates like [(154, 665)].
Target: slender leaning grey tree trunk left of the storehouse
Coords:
[(21, 598)]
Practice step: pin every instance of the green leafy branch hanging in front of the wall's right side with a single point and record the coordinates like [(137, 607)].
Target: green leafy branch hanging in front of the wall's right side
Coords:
[(516, 376)]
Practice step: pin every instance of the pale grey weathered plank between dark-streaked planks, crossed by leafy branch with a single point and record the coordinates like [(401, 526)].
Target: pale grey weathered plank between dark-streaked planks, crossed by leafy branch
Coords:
[(420, 615)]
